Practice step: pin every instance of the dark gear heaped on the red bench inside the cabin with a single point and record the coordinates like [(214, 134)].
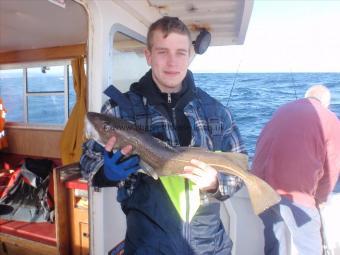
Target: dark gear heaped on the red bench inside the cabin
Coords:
[(29, 192)]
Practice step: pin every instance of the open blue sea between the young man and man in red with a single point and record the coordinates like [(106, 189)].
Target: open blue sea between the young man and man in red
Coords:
[(253, 97)]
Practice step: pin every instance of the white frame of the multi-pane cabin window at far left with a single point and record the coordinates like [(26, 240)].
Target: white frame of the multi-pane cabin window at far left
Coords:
[(24, 66)]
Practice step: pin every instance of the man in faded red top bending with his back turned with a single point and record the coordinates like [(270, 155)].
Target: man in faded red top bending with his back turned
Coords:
[(297, 153)]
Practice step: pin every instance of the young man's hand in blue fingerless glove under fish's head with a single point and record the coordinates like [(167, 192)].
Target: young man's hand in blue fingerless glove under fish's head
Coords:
[(119, 165)]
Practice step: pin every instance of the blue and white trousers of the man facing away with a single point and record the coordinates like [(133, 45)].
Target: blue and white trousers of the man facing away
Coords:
[(292, 229)]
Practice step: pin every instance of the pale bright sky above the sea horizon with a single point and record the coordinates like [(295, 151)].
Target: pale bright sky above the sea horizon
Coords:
[(283, 36)]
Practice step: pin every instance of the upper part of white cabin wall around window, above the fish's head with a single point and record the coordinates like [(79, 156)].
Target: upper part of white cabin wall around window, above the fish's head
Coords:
[(103, 15)]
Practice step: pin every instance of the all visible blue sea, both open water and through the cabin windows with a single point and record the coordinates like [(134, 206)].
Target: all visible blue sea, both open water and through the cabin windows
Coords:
[(251, 97)]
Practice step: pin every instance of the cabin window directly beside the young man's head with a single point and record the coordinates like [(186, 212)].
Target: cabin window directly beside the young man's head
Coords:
[(128, 61)]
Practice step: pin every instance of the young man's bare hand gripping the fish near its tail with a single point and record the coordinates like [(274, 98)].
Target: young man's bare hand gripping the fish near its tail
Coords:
[(203, 175)]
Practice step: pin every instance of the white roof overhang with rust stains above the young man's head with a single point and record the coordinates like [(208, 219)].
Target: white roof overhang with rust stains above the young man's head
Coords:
[(226, 20)]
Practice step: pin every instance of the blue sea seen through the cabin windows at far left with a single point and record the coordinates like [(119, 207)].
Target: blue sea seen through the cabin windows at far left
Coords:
[(47, 109)]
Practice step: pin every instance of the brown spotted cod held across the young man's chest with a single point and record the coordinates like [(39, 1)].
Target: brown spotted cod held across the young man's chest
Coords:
[(160, 159)]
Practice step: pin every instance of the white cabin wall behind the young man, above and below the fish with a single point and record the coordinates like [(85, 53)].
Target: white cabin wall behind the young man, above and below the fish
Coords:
[(107, 222)]
